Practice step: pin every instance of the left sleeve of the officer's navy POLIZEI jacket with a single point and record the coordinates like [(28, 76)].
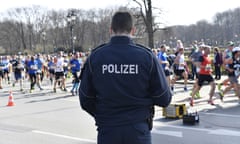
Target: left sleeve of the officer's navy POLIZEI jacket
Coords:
[(87, 94)]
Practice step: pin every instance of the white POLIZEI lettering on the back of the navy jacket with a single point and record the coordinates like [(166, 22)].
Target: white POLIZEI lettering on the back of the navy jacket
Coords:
[(120, 68)]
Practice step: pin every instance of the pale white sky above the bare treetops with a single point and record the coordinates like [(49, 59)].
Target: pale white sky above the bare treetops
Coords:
[(174, 12)]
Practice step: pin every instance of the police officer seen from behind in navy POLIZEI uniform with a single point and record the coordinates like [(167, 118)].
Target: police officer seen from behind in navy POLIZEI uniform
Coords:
[(120, 83)]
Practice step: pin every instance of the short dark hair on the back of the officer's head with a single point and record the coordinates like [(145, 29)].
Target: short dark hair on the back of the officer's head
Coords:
[(122, 22)]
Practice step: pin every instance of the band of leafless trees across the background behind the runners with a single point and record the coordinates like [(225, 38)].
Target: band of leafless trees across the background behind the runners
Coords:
[(22, 28)]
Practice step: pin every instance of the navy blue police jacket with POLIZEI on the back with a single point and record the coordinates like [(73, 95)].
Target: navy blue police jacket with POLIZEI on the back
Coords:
[(120, 81)]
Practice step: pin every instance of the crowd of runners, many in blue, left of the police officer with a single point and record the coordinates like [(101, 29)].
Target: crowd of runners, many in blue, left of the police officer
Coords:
[(35, 68)]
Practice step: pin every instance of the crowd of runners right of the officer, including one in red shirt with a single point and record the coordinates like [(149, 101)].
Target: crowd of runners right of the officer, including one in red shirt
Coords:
[(203, 66)]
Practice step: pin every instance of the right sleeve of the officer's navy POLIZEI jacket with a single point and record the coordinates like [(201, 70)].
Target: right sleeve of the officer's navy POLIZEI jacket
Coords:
[(159, 88)]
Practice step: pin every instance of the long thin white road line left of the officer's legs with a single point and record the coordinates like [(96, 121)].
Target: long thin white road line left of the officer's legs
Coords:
[(64, 136)]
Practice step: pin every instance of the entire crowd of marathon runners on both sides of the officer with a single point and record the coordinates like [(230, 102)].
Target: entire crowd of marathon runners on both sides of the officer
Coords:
[(202, 66)]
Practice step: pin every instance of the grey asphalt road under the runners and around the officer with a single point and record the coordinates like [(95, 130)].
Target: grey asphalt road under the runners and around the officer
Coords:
[(44, 117)]
